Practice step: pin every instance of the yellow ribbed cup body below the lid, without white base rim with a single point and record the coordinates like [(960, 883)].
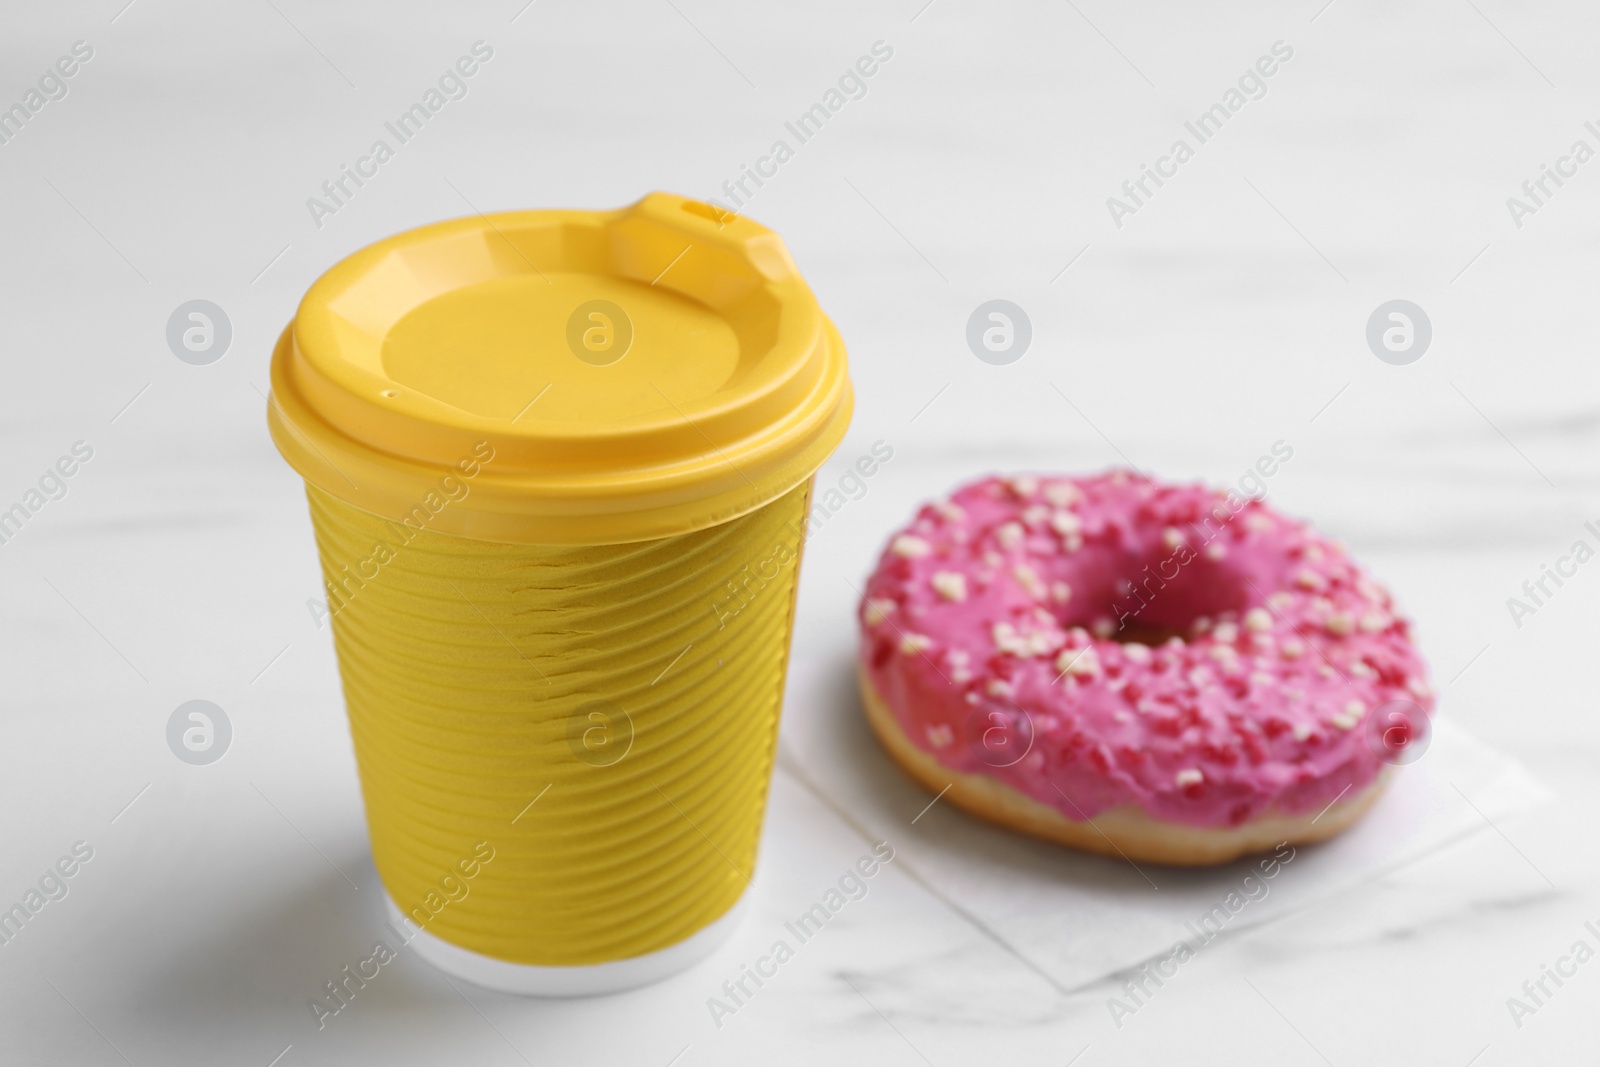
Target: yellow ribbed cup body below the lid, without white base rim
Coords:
[(628, 693)]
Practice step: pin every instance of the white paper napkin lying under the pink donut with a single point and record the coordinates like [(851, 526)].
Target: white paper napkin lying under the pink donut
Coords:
[(1078, 917)]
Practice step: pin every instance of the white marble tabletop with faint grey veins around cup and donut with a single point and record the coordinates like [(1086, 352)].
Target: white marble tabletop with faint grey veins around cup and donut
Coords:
[(1225, 314)]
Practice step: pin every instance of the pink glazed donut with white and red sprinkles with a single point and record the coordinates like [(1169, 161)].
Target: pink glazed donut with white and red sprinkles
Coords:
[(1162, 673)]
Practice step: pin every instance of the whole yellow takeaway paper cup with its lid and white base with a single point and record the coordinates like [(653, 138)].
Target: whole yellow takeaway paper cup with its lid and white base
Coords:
[(559, 470)]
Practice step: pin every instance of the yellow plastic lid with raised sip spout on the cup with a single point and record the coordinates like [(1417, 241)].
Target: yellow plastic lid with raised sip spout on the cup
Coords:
[(562, 377)]
